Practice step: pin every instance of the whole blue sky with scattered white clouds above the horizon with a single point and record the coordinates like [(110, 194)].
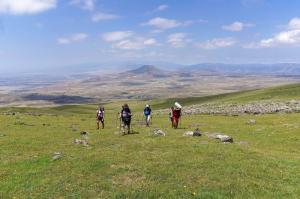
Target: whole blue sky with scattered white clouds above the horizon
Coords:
[(45, 34)]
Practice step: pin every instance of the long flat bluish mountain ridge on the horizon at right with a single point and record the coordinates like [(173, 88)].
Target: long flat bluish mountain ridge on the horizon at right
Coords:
[(245, 69)]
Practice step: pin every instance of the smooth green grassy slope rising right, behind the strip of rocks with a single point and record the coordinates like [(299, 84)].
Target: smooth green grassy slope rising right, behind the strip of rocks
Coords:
[(286, 92)]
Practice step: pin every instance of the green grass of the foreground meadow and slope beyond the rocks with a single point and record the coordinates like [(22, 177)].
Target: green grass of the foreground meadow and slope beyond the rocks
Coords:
[(145, 166)]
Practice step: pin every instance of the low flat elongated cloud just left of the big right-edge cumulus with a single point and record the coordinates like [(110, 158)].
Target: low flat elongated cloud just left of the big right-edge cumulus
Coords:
[(218, 43)]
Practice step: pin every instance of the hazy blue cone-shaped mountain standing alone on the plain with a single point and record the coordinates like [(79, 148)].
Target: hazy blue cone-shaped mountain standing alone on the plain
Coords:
[(148, 70)]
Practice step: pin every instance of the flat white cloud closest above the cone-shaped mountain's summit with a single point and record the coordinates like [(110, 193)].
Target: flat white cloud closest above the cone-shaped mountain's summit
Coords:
[(135, 43)]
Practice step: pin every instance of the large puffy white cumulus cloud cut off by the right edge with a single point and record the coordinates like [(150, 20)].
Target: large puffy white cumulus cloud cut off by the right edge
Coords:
[(290, 36)]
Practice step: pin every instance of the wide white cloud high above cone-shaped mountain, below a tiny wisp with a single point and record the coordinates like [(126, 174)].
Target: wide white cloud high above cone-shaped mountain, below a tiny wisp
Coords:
[(163, 23)]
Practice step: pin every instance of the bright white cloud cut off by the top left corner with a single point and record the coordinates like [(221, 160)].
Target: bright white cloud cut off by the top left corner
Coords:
[(19, 7)]
